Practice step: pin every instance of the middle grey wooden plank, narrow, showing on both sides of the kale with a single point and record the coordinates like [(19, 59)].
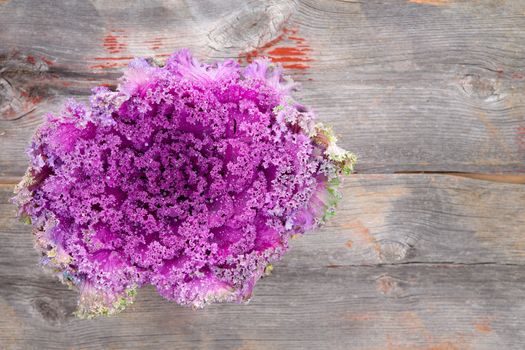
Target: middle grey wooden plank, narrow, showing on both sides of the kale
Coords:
[(392, 219)]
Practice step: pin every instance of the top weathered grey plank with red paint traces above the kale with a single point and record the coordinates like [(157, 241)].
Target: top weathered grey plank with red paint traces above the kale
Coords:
[(409, 86)]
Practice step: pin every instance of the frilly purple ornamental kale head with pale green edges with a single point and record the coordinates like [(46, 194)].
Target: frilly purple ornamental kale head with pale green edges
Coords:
[(191, 177)]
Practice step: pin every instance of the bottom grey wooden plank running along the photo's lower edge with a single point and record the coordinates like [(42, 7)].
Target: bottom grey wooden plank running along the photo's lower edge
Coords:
[(388, 307)]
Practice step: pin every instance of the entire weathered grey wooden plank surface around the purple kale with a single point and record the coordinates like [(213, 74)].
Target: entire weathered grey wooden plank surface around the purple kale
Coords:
[(428, 248)]
